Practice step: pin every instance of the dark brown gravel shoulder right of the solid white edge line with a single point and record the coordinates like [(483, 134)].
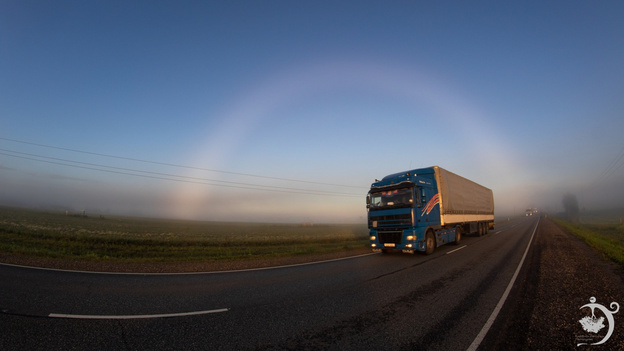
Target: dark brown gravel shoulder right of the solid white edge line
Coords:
[(560, 276)]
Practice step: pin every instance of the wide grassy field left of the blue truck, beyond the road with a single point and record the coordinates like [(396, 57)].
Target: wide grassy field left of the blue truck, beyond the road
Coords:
[(123, 239)]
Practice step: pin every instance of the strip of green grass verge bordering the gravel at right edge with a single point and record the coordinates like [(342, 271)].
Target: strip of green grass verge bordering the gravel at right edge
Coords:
[(606, 238)]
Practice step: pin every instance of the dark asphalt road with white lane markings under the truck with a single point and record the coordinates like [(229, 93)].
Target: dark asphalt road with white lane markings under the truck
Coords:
[(376, 301)]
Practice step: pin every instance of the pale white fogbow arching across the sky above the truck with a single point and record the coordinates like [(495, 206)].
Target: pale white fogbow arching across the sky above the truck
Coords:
[(296, 83)]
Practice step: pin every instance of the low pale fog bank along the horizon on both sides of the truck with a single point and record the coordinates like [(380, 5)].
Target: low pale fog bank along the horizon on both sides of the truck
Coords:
[(151, 198)]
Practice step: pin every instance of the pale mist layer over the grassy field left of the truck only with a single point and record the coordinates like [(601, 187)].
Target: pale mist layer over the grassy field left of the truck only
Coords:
[(163, 200)]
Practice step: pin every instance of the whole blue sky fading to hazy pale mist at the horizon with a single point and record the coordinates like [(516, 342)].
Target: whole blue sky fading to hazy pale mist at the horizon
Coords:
[(287, 111)]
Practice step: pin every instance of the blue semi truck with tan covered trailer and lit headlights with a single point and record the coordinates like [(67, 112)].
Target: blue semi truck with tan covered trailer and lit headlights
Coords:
[(421, 209)]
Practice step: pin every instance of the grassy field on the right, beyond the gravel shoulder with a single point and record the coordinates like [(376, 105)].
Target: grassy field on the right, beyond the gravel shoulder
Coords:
[(604, 232)]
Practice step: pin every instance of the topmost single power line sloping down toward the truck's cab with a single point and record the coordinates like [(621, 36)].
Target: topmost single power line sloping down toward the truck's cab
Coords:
[(177, 165)]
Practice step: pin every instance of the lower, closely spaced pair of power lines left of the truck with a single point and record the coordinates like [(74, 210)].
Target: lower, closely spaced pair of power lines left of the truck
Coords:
[(166, 176)]
